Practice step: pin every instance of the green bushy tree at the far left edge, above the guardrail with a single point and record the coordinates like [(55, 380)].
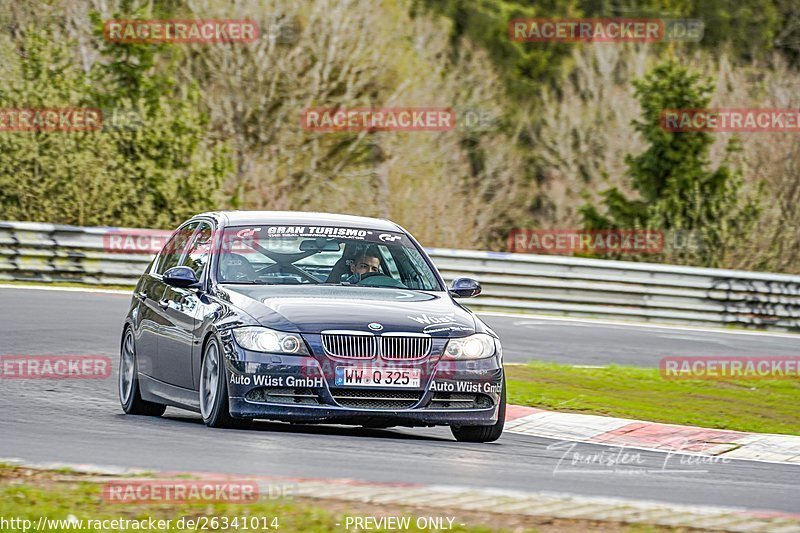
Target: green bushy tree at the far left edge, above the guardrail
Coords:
[(55, 176)]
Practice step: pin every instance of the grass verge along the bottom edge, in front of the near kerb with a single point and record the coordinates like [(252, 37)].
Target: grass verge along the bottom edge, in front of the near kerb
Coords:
[(27, 495)]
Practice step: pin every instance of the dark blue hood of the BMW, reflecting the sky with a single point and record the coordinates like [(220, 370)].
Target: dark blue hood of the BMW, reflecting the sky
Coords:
[(311, 309)]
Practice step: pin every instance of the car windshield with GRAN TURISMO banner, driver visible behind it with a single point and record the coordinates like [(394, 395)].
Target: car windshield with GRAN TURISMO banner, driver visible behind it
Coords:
[(303, 255)]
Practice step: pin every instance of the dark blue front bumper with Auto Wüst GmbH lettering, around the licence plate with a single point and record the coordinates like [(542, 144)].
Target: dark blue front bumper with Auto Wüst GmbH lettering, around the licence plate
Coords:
[(302, 389)]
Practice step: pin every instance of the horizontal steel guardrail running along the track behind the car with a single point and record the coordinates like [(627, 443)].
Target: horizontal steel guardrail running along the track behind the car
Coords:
[(512, 282)]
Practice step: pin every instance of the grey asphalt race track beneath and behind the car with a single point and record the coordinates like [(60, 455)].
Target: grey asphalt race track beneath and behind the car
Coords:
[(80, 421)]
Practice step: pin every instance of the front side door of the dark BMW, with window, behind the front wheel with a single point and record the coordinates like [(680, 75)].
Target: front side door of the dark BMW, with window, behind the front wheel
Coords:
[(180, 311)]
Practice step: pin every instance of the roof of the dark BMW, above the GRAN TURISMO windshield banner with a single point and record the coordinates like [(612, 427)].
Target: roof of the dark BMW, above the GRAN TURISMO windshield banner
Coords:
[(246, 218)]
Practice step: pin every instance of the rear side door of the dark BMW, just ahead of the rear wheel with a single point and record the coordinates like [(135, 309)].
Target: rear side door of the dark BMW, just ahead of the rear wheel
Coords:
[(155, 304)]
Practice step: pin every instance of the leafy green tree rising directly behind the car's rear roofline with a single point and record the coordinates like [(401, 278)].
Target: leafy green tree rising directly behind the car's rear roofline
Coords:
[(167, 146)]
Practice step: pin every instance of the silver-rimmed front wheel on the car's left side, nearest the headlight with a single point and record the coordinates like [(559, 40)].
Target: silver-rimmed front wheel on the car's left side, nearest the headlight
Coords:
[(214, 405)]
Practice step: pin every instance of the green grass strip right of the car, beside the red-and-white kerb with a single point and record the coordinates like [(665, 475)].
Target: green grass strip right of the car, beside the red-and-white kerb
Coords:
[(641, 393)]
